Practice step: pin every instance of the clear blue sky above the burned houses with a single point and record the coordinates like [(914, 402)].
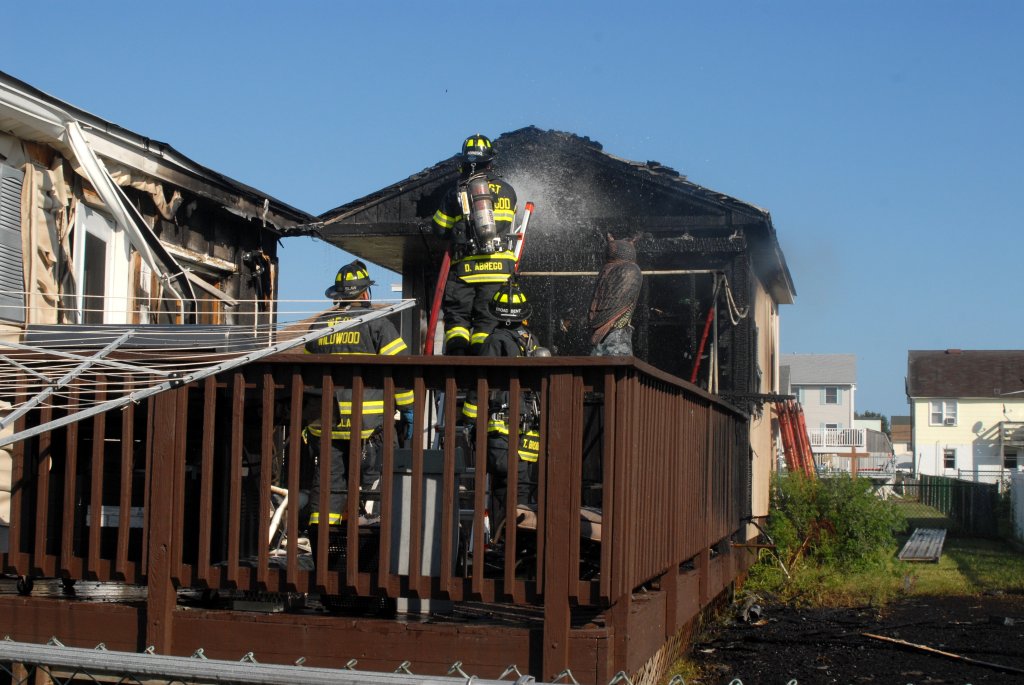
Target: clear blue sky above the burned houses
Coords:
[(884, 138)]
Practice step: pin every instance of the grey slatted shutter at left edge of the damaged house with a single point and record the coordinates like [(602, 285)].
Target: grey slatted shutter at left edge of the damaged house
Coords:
[(12, 264)]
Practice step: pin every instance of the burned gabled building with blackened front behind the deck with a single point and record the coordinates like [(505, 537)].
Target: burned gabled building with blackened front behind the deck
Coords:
[(714, 273)]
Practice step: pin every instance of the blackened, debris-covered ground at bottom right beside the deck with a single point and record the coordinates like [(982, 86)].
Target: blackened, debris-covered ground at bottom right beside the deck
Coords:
[(829, 646)]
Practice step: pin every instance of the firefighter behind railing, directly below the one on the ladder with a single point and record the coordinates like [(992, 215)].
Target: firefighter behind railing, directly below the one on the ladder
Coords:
[(510, 338)]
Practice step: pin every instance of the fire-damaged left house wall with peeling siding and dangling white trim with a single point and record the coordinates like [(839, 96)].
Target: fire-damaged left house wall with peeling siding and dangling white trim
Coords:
[(177, 233)]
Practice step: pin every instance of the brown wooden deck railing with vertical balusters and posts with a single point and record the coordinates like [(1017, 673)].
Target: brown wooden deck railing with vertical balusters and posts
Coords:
[(177, 492)]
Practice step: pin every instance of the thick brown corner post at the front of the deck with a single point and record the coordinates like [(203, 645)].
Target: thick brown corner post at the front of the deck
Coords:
[(556, 654)]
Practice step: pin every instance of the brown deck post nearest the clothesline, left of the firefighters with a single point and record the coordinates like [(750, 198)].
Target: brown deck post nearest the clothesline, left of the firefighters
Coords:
[(162, 595)]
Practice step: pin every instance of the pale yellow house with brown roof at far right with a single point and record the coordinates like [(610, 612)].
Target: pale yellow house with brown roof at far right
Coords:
[(967, 412)]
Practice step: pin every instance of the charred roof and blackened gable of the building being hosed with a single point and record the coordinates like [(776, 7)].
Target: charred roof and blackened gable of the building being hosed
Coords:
[(579, 189)]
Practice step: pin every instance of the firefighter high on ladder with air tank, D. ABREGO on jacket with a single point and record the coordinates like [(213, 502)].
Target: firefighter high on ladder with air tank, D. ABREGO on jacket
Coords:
[(477, 218)]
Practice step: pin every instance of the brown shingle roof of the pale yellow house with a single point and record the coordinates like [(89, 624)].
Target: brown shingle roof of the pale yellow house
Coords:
[(955, 373)]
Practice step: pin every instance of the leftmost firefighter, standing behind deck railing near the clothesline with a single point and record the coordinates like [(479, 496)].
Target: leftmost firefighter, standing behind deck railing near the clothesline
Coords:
[(378, 336)]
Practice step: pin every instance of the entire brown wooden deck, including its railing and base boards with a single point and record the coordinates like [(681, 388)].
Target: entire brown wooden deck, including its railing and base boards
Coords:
[(669, 463)]
